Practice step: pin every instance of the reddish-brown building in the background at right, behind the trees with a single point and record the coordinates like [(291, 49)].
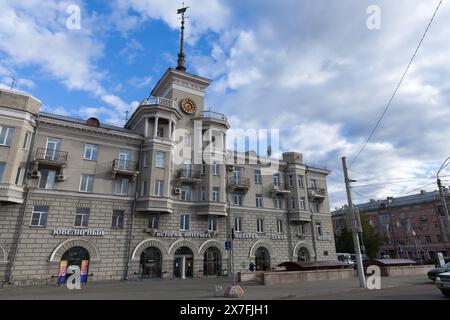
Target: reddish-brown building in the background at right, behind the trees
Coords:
[(415, 226)]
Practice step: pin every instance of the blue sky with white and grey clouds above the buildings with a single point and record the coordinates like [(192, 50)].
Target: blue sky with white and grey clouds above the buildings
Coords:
[(320, 71)]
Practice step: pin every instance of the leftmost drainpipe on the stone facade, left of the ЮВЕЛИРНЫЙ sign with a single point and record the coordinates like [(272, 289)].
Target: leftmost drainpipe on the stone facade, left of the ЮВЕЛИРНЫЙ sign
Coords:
[(27, 193)]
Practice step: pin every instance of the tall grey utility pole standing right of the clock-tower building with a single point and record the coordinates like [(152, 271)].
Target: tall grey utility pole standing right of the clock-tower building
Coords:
[(351, 212)]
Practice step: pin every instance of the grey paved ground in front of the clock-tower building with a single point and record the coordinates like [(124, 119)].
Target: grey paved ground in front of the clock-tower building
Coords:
[(204, 289)]
